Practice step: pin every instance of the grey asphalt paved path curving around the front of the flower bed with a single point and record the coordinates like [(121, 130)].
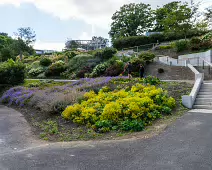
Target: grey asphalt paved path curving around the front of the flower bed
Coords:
[(185, 145)]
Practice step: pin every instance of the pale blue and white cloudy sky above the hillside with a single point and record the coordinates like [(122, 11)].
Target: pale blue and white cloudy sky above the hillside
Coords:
[(56, 21)]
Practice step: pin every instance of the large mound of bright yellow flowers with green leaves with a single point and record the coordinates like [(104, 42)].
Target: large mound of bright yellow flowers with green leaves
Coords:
[(121, 109)]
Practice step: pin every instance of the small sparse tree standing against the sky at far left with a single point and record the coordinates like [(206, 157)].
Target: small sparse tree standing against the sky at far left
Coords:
[(27, 35)]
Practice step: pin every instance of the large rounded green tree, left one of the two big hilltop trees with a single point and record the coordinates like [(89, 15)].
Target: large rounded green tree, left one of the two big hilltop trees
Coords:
[(131, 20)]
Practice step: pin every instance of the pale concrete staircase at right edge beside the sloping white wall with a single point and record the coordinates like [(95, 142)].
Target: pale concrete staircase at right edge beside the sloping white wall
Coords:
[(204, 97)]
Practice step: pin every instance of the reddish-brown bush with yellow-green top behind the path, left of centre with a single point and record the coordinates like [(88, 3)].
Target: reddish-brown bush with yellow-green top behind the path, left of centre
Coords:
[(55, 69)]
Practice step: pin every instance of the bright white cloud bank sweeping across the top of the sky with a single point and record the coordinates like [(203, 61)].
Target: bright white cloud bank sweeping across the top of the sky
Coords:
[(95, 12)]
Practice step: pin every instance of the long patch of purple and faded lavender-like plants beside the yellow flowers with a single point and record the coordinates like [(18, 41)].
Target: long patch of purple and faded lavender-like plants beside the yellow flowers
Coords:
[(50, 99)]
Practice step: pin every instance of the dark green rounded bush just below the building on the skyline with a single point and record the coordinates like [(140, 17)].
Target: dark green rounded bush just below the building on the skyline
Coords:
[(106, 53)]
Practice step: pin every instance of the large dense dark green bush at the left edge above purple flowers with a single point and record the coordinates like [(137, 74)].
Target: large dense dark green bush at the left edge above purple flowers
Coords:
[(11, 72)]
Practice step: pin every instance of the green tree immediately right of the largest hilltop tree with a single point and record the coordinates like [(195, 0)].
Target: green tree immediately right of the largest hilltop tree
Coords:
[(175, 17)]
